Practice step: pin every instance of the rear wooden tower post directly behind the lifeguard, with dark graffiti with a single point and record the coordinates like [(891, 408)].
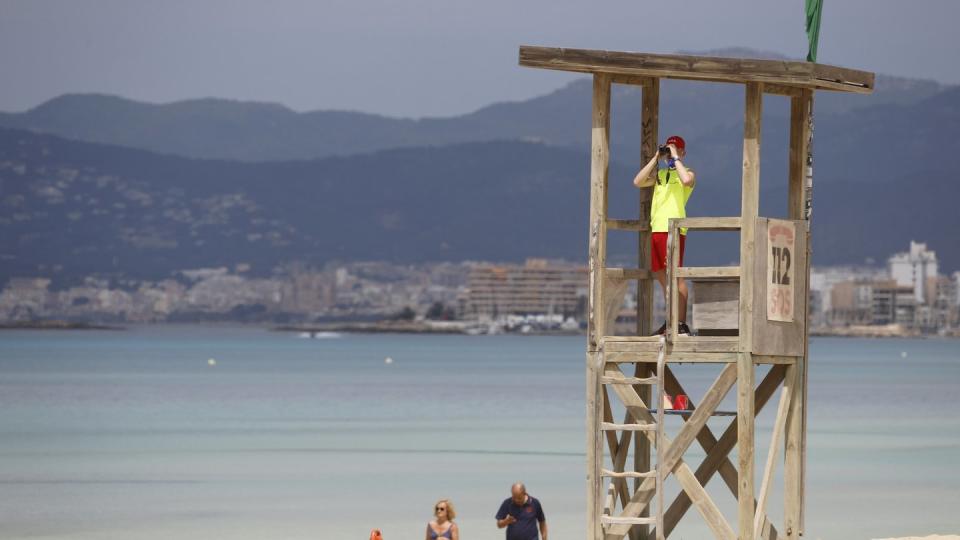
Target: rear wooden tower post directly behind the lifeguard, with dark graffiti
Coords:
[(650, 123)]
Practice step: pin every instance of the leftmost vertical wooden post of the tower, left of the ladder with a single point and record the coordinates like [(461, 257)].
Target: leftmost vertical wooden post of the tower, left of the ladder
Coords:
[(599, 167)]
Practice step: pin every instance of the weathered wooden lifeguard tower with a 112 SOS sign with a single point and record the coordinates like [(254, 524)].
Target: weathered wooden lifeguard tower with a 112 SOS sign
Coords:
[(755, 313)]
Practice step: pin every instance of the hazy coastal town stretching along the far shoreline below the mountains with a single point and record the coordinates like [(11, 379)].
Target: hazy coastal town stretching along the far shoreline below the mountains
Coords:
[(372, 290)]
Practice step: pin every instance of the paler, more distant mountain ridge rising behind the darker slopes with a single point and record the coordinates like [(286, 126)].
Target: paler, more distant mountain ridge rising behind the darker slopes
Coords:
[(251, 131)]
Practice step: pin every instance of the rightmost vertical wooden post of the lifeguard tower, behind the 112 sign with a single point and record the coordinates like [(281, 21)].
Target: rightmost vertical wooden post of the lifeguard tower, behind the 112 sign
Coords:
[(801, 206)]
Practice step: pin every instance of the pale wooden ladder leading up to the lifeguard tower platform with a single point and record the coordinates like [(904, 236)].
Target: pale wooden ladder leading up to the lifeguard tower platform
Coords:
[(657, 472)]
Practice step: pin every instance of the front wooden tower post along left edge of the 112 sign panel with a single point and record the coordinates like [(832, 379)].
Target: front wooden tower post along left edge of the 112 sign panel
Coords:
[(749, 211)]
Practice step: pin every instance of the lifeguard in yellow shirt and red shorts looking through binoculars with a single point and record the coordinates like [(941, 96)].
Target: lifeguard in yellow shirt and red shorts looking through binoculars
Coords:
[(672, 188)]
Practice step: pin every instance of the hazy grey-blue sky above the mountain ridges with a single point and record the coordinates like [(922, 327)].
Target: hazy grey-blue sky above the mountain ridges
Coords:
[(419, 57)]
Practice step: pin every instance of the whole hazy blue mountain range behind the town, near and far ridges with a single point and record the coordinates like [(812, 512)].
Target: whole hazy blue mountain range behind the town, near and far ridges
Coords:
[(103, 185)]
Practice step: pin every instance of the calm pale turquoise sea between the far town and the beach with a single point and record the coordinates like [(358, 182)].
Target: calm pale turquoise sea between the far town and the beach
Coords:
[(134, 434)]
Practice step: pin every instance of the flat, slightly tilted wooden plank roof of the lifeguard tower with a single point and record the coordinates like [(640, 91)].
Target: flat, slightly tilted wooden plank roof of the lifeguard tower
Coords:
[(700, 68)]
